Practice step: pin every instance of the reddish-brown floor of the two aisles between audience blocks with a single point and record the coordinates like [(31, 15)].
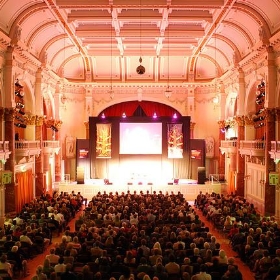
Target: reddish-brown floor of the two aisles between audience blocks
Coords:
[(246, 273)]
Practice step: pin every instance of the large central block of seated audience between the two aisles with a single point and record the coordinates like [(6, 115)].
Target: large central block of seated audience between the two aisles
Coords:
[(138, 236)]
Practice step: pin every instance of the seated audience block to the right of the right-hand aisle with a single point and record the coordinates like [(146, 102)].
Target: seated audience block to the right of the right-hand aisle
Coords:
[(255, 239)]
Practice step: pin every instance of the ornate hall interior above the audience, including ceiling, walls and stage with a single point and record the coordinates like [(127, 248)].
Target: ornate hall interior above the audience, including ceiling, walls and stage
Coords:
[(139, 96)]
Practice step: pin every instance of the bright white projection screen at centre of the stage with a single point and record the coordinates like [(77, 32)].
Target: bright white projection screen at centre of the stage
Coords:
[(140, 138)]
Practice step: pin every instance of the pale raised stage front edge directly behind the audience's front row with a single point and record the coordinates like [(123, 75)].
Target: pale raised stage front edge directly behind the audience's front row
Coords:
[(189, 188)]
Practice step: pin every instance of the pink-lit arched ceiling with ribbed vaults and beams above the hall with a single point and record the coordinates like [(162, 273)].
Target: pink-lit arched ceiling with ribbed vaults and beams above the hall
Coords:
[(178, 40)]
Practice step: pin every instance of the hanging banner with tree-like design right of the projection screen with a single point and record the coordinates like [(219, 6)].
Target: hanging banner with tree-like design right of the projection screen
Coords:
[(175, 140)]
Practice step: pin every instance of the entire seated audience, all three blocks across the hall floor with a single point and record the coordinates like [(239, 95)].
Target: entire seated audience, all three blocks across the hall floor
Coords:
[(140, 236)]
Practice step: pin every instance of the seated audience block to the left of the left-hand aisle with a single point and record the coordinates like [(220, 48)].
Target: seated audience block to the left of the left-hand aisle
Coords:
[(28, 233)]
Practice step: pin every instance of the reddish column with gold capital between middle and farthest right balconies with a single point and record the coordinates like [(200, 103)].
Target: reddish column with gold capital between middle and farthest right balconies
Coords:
[(240, 166)]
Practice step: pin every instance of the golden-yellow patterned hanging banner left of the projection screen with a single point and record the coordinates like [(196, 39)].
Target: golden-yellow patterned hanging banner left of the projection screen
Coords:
[(103, 140)]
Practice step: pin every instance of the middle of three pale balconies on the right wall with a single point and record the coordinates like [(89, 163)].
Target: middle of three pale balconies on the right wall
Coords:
[(254, 148)]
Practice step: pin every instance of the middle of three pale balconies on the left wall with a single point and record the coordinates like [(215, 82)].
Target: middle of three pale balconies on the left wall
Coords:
[(27, 148)]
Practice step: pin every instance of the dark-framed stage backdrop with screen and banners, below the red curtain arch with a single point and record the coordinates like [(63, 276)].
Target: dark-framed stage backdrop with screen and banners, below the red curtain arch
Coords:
[(146, 166)]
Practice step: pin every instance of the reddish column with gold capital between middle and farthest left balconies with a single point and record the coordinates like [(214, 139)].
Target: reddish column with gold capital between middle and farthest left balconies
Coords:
[(40, 184)]
